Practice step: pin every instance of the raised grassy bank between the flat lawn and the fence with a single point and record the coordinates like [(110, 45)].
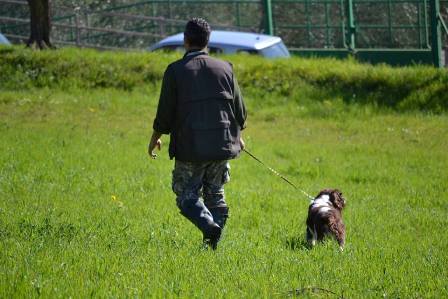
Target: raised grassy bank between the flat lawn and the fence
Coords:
[(408, 88)]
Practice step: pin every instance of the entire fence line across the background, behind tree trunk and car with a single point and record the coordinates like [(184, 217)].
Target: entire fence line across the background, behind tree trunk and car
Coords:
[(393, 31)]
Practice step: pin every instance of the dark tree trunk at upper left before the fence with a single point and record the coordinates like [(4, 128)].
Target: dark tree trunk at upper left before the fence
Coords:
[(40, 24)]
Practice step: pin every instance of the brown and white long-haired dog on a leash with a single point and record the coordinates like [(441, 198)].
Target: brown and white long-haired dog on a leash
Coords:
[(325, 217)]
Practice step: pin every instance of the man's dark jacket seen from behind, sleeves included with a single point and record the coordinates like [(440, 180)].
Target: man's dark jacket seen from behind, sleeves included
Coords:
[(201, 107)]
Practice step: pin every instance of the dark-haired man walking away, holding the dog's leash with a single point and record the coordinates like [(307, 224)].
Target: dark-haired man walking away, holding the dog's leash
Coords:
[(201, 107)]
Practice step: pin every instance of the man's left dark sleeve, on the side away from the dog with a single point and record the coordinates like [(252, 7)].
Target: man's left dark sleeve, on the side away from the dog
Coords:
[(166, 110)]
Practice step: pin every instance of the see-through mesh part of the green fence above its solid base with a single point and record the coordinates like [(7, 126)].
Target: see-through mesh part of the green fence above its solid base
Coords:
[(325, 23)]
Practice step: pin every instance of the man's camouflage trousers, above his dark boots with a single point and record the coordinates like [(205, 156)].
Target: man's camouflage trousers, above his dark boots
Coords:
[(193, 180)]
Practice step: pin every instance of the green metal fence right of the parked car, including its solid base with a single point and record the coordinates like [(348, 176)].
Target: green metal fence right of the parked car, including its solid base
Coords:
[(393, 31)]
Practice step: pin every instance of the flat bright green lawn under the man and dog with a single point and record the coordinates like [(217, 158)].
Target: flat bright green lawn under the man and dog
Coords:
[(84, 211)]
